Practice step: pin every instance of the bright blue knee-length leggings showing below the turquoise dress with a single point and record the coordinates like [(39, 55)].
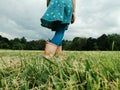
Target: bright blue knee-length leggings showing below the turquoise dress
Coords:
[(57, 39)]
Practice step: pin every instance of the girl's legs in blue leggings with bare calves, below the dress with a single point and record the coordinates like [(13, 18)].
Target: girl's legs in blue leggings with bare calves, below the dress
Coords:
[(56, 42)]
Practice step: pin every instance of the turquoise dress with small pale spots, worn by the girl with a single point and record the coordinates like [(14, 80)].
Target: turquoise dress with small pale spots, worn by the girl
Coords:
[(58, 12)]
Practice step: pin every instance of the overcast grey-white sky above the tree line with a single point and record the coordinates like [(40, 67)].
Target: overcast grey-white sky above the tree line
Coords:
[(21, 18)]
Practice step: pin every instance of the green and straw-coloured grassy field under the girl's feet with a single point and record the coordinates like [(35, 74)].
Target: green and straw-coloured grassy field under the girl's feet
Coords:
[(76, 70)]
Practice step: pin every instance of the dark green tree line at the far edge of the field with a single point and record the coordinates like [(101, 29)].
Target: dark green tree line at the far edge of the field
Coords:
[(104, 42)]
